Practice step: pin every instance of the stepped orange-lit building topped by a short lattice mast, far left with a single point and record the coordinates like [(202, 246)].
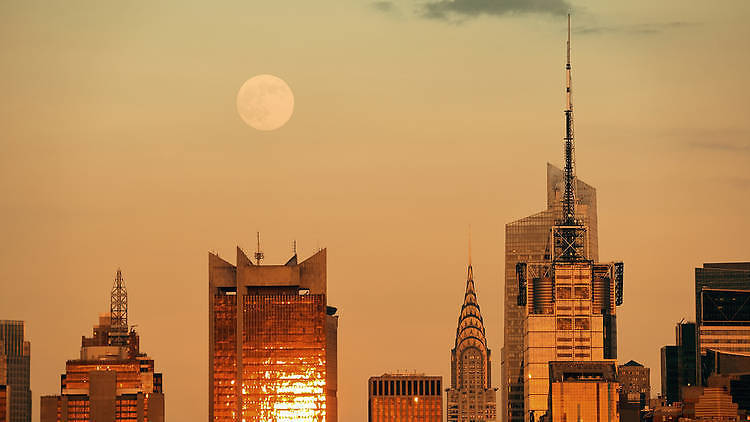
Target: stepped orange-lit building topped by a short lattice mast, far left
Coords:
[(112, 380)]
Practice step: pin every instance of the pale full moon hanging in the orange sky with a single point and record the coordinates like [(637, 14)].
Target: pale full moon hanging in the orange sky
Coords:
[(265, 102)]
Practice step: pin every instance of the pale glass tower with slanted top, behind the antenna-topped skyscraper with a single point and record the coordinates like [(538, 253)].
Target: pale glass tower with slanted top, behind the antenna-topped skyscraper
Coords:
[(527, 240)]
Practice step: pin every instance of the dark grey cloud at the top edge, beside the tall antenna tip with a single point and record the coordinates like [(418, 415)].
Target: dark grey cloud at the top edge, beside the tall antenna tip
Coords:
[(447, 9)]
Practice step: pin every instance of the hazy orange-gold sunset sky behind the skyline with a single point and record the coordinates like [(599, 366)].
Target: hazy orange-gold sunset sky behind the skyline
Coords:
[(121, 147)]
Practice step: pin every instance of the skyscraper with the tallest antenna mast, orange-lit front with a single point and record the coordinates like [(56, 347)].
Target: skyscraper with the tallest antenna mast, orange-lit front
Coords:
[(569, 300)]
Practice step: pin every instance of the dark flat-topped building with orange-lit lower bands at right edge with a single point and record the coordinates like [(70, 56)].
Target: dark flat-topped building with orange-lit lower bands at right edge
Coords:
[(722, 309)]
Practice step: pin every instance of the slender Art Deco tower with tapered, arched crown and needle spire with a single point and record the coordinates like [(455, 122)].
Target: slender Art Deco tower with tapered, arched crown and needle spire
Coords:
[(471, 396)]
